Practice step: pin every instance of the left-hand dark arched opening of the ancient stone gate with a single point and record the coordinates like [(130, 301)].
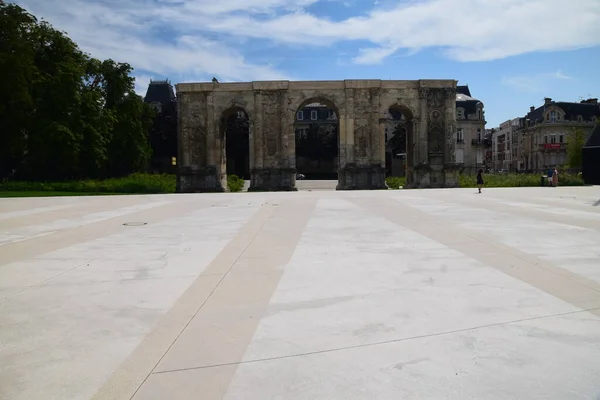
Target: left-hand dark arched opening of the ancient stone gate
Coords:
[(235, 127)]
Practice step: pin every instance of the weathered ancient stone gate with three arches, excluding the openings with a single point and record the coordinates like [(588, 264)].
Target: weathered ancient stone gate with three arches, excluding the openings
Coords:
[(361, 105)]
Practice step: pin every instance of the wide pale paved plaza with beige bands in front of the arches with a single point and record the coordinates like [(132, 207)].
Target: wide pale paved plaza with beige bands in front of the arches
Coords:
[(415, 294)]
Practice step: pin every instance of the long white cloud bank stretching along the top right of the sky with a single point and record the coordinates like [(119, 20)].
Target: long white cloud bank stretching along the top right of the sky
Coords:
[(468, 30)]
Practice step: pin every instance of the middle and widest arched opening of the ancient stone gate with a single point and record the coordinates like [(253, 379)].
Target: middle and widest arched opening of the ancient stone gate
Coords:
[(316, 128)]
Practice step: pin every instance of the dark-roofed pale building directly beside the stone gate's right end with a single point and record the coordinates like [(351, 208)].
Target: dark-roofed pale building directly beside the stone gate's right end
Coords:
[(472, 143)]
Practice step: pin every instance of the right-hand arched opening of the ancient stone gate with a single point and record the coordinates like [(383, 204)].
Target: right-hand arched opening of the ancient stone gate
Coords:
[(399, 139)]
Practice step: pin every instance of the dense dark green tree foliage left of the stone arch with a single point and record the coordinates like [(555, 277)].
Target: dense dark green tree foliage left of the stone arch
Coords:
[(63, 114)]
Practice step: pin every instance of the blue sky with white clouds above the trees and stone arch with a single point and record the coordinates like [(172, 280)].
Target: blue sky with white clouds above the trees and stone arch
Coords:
[(511, 53)]
